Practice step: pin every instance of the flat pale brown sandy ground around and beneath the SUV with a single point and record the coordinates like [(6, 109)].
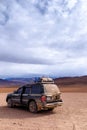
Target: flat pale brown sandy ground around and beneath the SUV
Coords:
[(71, 116)]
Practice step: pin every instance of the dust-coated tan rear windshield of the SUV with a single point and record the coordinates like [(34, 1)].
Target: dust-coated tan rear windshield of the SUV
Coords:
[(51, 88)]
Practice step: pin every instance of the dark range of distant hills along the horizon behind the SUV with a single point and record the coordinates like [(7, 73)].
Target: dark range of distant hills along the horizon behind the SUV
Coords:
[(64, 81)]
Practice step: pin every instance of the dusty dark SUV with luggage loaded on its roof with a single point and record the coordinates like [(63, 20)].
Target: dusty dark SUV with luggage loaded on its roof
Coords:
[(42, 95)]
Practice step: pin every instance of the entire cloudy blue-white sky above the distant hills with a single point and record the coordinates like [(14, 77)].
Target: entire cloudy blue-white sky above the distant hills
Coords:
[(43, 37)]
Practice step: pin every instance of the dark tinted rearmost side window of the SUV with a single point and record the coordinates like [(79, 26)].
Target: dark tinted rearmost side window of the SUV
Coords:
[(36, 89)]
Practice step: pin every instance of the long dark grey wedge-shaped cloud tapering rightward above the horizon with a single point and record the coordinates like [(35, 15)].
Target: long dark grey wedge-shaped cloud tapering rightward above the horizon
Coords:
[(22, 56)]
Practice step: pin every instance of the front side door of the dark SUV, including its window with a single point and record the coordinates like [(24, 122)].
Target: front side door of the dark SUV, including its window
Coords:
[(16, 98)]
